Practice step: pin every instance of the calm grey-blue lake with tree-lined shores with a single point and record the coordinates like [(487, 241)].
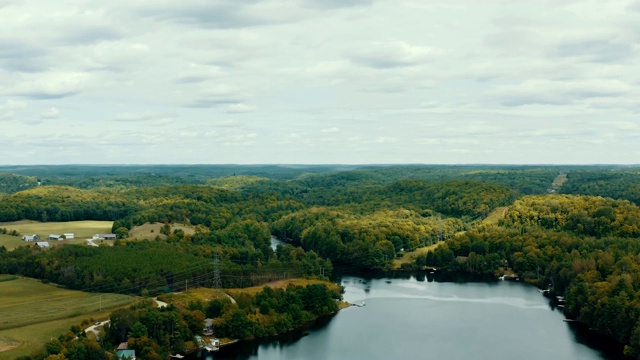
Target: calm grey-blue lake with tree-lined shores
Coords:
[(408, 318)]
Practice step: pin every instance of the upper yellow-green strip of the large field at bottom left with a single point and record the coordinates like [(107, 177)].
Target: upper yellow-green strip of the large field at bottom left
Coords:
[(27, 301)]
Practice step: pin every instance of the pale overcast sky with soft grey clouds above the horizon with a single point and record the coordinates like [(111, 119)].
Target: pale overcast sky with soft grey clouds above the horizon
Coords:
[(319, 82)]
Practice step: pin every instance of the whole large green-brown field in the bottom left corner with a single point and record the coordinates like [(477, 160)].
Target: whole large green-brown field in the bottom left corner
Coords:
[(33, 312)]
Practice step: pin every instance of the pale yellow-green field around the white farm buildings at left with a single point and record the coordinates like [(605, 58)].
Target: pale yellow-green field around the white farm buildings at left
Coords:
[(81, 229)]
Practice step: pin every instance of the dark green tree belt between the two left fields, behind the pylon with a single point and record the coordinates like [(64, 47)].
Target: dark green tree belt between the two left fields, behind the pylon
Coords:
[(154, 267)]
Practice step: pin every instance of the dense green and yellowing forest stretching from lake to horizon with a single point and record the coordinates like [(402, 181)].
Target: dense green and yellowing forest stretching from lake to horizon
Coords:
[(579, 238)]
